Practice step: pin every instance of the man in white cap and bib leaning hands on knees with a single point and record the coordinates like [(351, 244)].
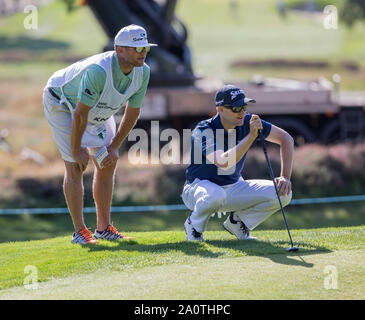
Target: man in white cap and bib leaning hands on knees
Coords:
[(79, 104)]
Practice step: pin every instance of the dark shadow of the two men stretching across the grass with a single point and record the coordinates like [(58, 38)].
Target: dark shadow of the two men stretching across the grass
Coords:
[(271, 250)]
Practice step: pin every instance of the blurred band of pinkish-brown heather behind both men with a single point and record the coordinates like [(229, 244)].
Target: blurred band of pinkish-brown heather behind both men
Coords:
[(318, 171)]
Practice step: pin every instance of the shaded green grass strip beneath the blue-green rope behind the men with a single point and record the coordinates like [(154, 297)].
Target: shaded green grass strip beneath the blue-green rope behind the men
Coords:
[(38, 227)]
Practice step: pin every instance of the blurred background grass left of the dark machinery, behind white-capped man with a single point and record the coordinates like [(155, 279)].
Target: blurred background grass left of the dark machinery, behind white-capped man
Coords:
[(60, 38)]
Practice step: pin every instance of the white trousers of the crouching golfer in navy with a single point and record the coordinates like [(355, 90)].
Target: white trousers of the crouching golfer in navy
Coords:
[(252, 200)]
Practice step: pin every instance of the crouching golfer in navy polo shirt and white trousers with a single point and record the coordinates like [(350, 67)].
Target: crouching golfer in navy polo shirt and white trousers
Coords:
[(213, 179)]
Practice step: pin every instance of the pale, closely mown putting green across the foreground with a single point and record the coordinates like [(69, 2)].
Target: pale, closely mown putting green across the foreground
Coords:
[(243, 278)]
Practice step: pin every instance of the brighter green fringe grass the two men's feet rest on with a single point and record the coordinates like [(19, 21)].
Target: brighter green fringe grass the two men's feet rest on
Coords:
[(58, 258)]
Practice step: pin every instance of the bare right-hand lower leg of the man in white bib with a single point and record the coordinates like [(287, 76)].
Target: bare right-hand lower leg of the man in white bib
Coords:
[(103, 186)]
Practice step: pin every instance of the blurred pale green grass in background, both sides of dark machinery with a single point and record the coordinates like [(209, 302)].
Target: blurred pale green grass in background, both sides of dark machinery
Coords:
[(216, 39)]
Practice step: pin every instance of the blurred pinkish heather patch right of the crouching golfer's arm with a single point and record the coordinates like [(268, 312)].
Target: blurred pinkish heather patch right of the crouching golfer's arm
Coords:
[(330, 171)]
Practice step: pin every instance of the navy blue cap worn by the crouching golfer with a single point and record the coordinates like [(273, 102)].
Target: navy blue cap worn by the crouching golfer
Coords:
[(232, 96)]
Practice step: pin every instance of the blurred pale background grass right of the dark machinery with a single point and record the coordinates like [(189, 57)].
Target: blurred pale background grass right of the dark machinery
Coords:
[(256, 31)]
